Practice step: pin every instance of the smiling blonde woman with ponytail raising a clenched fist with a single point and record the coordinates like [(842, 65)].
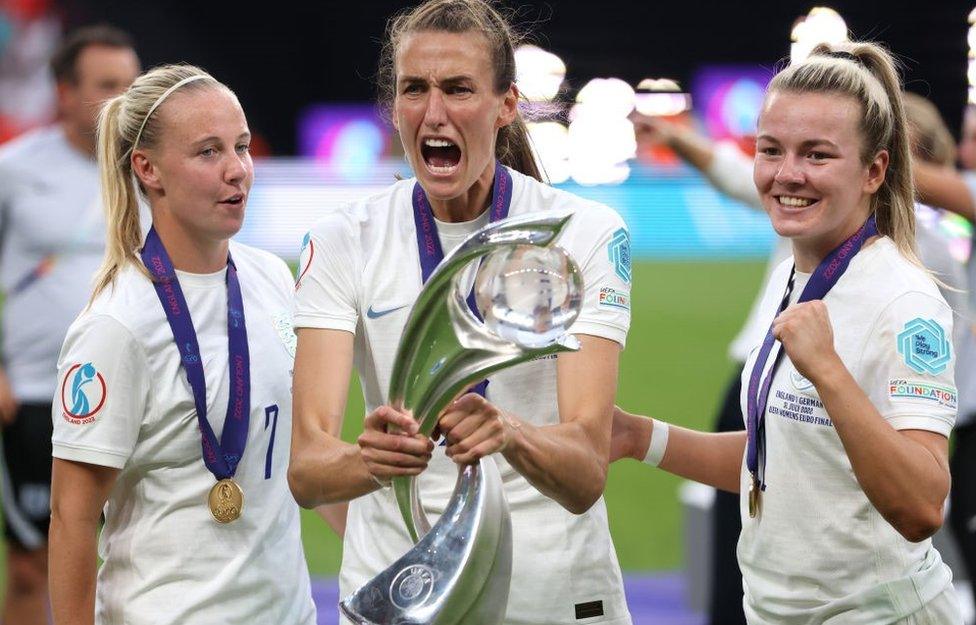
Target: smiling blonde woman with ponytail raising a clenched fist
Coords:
[(849, 400)]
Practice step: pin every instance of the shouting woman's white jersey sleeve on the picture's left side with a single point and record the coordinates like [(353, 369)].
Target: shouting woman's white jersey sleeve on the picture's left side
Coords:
[(327, 285)]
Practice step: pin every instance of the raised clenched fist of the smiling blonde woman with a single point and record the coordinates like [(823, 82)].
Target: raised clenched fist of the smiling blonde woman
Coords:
[(808, 338)]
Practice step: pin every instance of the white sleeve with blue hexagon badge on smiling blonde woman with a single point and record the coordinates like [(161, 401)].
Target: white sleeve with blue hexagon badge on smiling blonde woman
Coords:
[(909, 364)]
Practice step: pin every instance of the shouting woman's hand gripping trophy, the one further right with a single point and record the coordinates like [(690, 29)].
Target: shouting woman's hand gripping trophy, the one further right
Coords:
[(474, 428)]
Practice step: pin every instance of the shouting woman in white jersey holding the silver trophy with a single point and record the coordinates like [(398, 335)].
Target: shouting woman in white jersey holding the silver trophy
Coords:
[(449, 71)]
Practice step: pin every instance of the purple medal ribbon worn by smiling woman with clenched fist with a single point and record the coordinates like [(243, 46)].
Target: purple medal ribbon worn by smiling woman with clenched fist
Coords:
[(826, 275)]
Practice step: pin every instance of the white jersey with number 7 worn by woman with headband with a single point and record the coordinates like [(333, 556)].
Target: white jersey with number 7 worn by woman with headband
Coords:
[(166, 561)]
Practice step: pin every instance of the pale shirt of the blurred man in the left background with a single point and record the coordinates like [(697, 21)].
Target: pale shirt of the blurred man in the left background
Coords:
[(49, 208)]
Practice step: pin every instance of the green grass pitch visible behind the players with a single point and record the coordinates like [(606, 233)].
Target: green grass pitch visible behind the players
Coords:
[(675, 367)]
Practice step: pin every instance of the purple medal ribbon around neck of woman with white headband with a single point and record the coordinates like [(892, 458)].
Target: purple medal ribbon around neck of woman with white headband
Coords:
[(221, 457)]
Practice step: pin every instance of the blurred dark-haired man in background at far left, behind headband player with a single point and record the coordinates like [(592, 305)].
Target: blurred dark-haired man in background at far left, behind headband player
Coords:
[(52, 234)]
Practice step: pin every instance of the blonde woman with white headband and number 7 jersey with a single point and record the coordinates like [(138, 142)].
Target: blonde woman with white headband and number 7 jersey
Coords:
[(163, 421)]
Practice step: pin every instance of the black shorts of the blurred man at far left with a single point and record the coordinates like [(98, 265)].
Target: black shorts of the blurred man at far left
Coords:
[(25, 477)]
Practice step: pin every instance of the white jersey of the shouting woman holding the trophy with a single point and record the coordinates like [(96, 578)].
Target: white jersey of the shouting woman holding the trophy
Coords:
[(360, 272)]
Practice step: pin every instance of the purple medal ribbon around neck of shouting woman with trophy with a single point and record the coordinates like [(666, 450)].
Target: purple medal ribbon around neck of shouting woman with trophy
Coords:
[(429, 244)]
